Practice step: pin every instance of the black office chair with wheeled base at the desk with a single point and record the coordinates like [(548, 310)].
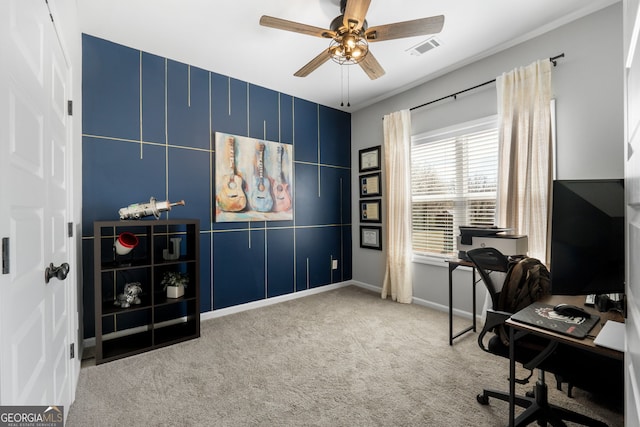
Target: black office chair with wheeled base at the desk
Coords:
[(532, 352)]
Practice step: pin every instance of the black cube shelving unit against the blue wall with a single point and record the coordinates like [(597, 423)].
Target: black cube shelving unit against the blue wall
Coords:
[(157, 321)]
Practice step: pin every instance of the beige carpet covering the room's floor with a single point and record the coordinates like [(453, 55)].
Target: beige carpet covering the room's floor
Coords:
[(339, 358)]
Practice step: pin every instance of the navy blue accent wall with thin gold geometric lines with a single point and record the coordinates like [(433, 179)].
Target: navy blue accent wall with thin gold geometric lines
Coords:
[(148, 130)]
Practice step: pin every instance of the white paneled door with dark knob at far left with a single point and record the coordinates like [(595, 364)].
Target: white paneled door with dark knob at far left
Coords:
[(36, 318)]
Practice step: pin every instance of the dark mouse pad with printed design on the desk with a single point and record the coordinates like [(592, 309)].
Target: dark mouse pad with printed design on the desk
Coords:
[(543, 316)]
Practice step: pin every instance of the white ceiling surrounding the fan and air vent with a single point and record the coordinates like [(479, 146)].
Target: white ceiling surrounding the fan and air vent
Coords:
[(225, 37)]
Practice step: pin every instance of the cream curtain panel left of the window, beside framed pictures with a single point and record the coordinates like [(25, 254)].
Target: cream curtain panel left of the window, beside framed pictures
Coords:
[(398, 282)]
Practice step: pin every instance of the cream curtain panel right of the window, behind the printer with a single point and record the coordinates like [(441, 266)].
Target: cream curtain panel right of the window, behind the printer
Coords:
[(525, 168)]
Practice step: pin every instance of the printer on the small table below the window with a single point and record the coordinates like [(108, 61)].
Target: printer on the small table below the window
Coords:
[(491, 237)]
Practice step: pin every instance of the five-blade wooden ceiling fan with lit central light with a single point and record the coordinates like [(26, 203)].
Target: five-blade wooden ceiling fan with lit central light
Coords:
[(350, 36)]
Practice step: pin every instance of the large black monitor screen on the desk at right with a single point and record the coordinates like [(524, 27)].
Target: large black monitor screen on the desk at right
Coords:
[(587, 237)]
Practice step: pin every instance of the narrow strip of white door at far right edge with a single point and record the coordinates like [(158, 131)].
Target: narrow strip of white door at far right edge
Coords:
[(632, 185)]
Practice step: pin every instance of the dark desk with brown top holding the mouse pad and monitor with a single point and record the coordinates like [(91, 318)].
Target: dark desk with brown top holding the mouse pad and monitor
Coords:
[(584, 344)]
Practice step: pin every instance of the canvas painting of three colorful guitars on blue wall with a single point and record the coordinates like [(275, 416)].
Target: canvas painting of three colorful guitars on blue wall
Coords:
[(253, 179)]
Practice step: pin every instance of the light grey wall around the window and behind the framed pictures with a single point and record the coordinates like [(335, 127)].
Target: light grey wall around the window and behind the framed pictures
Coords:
[(588, 89)]
